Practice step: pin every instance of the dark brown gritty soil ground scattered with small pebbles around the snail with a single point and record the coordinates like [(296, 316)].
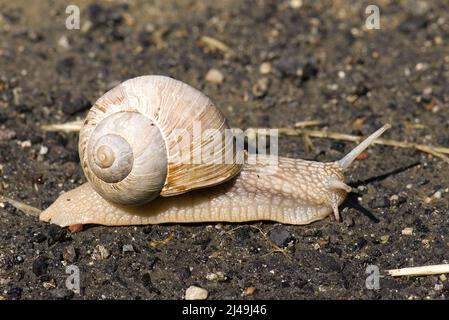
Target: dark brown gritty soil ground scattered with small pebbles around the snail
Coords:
[(325, 65)]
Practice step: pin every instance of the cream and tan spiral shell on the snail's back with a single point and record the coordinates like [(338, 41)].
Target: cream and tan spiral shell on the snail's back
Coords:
[(130, 146)]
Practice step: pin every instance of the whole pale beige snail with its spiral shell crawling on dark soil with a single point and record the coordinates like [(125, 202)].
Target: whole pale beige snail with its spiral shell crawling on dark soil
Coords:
[(139, 172)]
